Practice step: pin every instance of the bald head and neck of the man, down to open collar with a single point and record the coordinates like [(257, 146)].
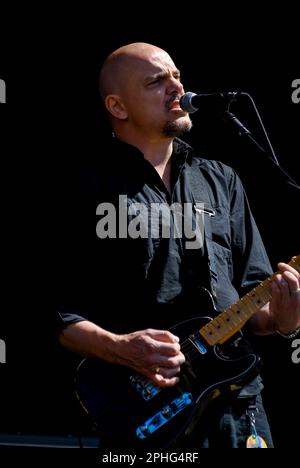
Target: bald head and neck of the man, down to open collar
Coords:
[(144, 106)]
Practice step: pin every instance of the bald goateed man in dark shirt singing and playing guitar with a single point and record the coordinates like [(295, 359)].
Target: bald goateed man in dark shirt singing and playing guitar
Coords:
[(125, 292)]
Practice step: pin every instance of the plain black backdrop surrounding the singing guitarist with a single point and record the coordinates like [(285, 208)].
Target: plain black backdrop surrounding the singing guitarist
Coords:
[(53, 118)]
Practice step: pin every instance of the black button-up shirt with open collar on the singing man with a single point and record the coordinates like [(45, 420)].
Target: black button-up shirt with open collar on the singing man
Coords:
[(129, 283)]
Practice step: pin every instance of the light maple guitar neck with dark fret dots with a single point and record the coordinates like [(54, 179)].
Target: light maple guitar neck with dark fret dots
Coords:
[(232, 319)]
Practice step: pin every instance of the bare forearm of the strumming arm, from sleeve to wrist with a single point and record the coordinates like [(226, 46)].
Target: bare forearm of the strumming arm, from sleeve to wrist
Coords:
[(90, 340)]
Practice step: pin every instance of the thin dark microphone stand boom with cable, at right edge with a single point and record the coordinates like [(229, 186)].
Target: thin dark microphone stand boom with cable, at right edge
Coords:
[(243, 131)]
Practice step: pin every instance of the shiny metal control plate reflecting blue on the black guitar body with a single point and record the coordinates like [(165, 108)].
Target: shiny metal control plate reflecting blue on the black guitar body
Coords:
[(162, 417)]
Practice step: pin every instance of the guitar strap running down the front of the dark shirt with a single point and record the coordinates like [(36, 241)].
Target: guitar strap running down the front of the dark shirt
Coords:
[(200, 193)]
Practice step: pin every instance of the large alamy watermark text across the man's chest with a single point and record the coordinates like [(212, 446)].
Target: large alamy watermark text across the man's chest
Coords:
[(152, 220)]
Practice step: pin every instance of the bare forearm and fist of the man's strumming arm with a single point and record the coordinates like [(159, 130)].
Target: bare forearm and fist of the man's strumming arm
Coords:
[(144, 351)]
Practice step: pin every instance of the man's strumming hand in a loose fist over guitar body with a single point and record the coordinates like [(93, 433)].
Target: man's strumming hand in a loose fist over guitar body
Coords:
[(153, 353)]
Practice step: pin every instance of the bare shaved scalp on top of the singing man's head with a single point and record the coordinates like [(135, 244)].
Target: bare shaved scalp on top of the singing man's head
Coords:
[(119, 65)]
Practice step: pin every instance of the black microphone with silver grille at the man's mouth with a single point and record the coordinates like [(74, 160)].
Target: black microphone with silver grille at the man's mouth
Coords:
[(190, 102)]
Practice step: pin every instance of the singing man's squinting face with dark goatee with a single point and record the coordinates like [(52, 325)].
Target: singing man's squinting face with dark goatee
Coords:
[(151, 95)]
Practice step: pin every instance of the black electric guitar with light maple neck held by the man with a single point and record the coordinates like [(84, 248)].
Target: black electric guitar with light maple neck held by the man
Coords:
[(131, 410)]
